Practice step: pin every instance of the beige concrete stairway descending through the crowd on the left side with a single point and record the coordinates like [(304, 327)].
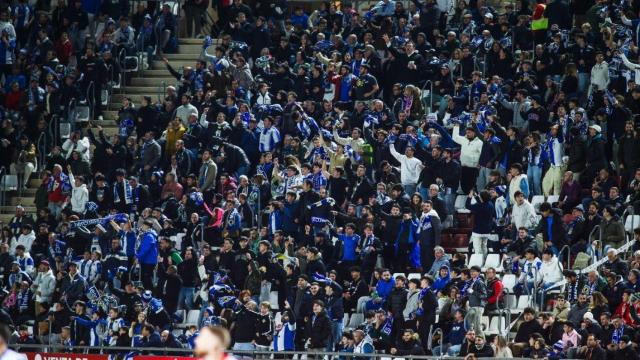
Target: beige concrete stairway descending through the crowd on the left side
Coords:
[(149, 84)]
